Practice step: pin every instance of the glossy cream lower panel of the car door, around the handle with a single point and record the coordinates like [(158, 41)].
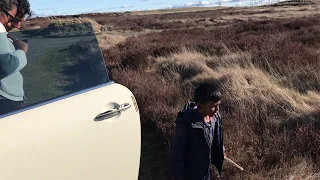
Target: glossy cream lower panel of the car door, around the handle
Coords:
[(61, 140)]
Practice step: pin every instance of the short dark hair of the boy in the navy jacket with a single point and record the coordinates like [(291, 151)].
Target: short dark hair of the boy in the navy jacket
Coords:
[(207, 92)]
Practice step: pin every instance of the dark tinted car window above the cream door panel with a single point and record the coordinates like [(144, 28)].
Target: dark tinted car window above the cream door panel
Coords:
[(60, 60)]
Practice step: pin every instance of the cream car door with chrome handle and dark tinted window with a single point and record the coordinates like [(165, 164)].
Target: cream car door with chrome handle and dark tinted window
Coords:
[(75, 123)]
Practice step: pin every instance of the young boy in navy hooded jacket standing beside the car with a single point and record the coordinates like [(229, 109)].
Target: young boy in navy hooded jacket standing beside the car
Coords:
[(198, 140)]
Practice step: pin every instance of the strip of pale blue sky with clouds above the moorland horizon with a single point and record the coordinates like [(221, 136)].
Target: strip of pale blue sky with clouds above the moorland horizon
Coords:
[(70, 7)]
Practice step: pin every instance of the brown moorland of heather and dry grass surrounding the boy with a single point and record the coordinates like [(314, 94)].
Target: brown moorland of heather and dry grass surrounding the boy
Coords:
[(266, 60)]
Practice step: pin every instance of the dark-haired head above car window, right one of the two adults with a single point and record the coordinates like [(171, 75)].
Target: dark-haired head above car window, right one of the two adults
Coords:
[(23, 12)]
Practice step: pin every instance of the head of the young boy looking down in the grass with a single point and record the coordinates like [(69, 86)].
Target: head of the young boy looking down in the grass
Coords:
[(207, 97)]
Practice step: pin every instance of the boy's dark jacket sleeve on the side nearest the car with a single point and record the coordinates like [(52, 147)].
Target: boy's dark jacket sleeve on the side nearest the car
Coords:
[(179, 149)]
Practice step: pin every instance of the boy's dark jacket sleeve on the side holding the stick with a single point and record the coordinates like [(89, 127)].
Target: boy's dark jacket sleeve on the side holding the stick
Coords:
[(217, 149)]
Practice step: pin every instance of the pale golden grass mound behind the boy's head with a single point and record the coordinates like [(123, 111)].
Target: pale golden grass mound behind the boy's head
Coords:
[(244, 80)]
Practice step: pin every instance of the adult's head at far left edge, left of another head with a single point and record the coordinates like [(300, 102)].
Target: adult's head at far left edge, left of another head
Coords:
[(8, 11)]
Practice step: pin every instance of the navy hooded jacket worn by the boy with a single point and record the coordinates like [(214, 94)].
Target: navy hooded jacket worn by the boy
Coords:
[(191, 154)]
